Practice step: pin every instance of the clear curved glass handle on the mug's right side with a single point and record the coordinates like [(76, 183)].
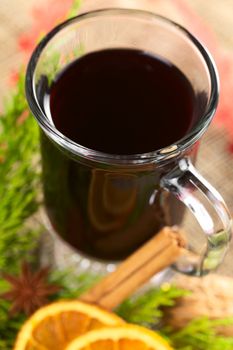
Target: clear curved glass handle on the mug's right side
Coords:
[(185, 183)]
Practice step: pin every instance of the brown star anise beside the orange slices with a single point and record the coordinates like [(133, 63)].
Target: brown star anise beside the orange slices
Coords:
[(29, 291)]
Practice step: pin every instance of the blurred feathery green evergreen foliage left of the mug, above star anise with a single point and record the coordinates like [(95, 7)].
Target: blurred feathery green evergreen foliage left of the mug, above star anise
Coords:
[(19, 178)]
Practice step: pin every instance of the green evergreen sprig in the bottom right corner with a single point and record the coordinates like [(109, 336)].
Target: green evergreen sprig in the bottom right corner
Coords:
[(201, 334)]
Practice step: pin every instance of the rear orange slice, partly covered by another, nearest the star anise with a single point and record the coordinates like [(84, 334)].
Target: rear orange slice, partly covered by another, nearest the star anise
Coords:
[(54, 326)]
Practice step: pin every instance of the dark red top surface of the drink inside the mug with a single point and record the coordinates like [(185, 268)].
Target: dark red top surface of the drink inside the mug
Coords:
[(122, 102)]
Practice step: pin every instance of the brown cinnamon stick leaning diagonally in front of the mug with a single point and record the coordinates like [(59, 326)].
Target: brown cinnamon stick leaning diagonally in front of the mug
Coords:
[(158, 253)]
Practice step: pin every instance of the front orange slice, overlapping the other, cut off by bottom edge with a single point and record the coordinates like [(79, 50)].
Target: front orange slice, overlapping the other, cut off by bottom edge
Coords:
[(125, 337)]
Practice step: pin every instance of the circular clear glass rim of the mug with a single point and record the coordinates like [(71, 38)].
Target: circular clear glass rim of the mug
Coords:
[(155, 156)]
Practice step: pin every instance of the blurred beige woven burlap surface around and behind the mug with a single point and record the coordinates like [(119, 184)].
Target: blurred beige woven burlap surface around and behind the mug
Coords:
[(214, 161)]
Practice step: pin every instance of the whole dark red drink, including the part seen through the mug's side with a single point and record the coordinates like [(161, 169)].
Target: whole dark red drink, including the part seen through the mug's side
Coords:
[(118, 102)]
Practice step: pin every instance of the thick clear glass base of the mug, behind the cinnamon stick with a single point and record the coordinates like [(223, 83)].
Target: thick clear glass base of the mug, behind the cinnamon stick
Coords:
[(60, 255)]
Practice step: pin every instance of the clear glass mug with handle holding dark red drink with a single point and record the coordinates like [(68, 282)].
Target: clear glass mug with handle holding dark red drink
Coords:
[(105, 206)]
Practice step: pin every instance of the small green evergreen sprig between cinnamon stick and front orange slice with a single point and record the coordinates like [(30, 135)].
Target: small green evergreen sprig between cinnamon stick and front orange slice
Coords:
[(146, 309)]
